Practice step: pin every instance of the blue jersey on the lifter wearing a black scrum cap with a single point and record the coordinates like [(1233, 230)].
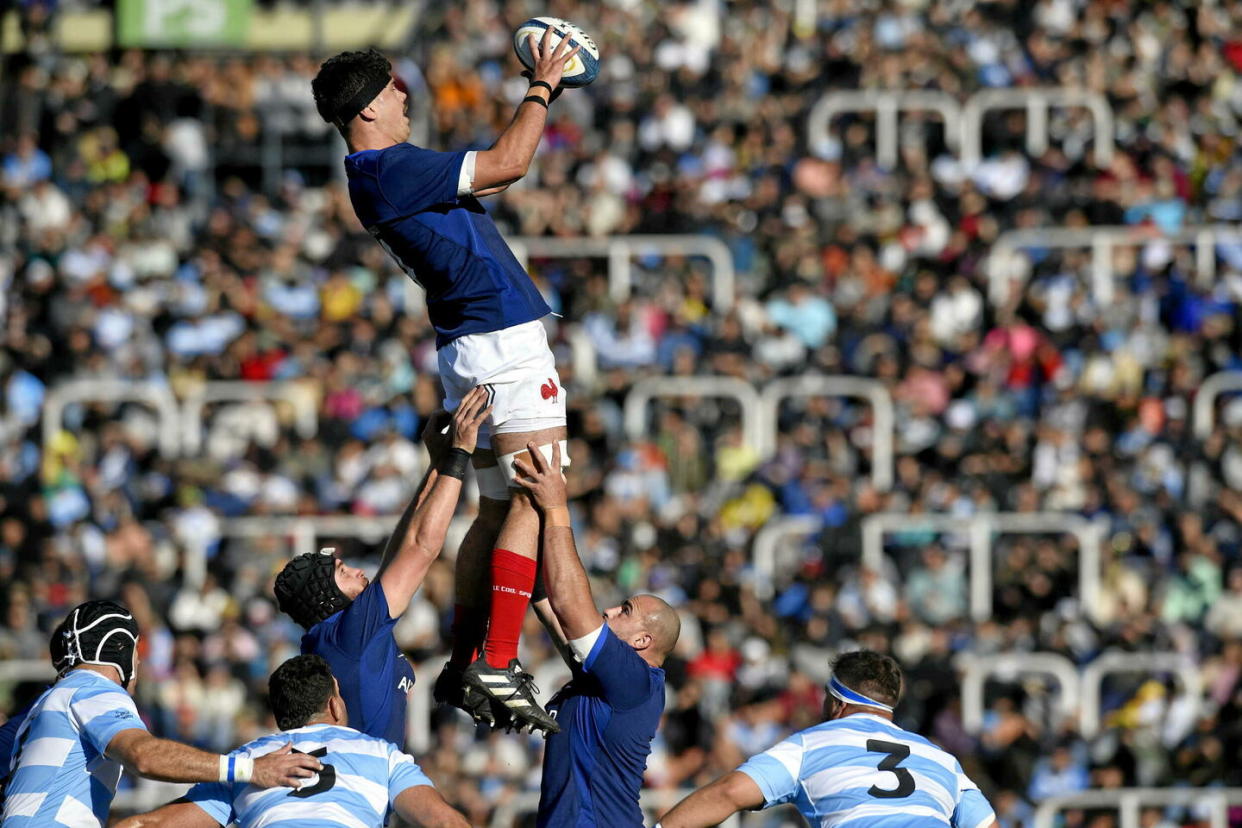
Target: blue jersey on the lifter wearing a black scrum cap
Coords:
[(374, 676)]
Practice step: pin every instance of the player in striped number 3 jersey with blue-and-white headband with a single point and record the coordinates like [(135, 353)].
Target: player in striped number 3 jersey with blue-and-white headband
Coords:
[(855, 769)]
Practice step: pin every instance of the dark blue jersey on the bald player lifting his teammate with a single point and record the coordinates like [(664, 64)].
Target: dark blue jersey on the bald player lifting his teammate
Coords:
[(608, 716)]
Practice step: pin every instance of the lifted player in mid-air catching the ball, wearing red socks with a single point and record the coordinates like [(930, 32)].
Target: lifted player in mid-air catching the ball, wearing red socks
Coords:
[(423, 208)]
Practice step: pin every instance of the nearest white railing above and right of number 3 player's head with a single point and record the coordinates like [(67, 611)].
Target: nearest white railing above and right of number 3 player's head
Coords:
[(981, 531)]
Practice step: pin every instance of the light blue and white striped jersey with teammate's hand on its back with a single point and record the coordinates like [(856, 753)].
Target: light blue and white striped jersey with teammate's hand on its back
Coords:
[(361, 780)]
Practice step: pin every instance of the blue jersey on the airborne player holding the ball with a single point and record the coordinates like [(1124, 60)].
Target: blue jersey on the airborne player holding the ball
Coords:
[(408, 200)]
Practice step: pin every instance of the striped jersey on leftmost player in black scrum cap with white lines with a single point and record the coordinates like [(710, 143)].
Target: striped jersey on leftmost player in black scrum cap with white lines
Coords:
[(60, 775)]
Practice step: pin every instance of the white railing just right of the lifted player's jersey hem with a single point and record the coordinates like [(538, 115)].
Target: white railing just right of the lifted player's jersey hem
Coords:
[(622, 250)]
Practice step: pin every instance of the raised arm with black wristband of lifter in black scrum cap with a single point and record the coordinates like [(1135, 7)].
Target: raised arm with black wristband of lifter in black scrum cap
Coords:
[(424, 527)]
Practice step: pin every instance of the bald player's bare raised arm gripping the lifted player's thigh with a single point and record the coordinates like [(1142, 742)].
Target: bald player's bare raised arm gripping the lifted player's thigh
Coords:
[(569, 592)]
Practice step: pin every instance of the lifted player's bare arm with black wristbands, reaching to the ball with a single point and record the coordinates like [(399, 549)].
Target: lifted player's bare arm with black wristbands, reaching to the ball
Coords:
[(510, 157)]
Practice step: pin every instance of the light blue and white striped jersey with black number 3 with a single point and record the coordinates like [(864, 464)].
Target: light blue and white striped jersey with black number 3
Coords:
[(865, 770)]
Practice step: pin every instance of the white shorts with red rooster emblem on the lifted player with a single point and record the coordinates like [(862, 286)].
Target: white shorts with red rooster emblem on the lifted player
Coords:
[(520, 372)]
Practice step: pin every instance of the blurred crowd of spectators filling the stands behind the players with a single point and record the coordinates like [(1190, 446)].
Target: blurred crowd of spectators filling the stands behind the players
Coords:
[(141, 241)]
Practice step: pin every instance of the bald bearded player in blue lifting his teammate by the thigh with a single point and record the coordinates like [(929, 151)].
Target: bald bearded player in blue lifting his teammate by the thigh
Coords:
[(610, 709)]
